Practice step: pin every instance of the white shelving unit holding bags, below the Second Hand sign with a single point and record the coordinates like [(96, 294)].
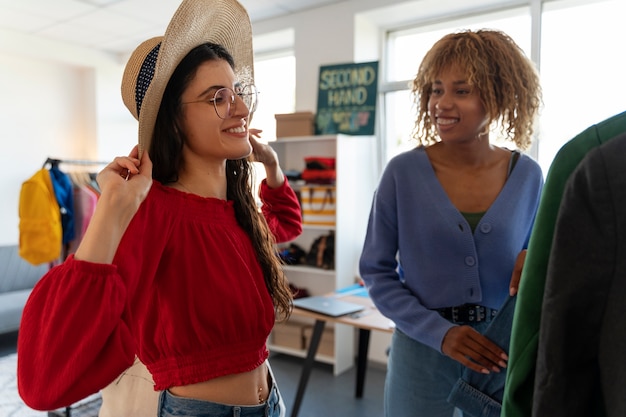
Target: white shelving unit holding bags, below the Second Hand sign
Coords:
[(355, 184)]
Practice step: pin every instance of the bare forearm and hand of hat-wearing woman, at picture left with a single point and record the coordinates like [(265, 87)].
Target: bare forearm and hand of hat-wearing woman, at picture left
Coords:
[(124, 185)]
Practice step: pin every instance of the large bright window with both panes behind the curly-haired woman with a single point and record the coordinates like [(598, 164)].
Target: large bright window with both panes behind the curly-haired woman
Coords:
[(579, 66)]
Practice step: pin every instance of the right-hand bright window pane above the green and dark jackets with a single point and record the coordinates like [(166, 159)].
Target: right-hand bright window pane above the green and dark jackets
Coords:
[(581, 70)]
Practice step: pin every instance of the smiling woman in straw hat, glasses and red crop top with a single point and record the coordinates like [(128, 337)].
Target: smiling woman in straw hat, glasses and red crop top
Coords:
[(178, 264)]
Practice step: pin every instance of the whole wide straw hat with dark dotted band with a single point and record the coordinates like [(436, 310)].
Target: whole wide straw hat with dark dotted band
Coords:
[(150, 66)]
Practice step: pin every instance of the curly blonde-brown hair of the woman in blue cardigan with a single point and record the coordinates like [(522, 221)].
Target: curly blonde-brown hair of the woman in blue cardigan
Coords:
[(507, 80)]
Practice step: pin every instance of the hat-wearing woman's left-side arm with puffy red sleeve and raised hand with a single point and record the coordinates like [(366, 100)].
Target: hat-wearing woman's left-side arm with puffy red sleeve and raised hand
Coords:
[(73, 339)]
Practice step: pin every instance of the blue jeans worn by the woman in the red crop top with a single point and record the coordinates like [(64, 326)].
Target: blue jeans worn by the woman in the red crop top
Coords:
[(173, 406)]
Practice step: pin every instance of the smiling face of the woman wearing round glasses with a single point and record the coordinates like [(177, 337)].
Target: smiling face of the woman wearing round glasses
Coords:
[(208, 136)]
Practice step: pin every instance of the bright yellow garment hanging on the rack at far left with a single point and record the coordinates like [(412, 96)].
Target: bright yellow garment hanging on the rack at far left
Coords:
[(40, 230)]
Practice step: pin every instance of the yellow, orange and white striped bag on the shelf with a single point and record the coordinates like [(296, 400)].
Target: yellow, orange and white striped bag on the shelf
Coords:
[(318, 205)]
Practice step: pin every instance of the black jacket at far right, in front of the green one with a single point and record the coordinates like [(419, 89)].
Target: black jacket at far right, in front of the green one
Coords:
[(580, 363)]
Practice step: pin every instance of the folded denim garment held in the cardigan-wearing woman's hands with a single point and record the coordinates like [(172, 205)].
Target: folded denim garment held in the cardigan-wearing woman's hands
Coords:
[(480, 395)]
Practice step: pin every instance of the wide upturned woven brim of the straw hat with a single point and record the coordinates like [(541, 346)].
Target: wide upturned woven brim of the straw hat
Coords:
[(224, 22)]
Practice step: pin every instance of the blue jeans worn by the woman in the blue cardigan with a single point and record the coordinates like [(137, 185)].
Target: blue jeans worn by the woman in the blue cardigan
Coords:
[(419, 379)]
